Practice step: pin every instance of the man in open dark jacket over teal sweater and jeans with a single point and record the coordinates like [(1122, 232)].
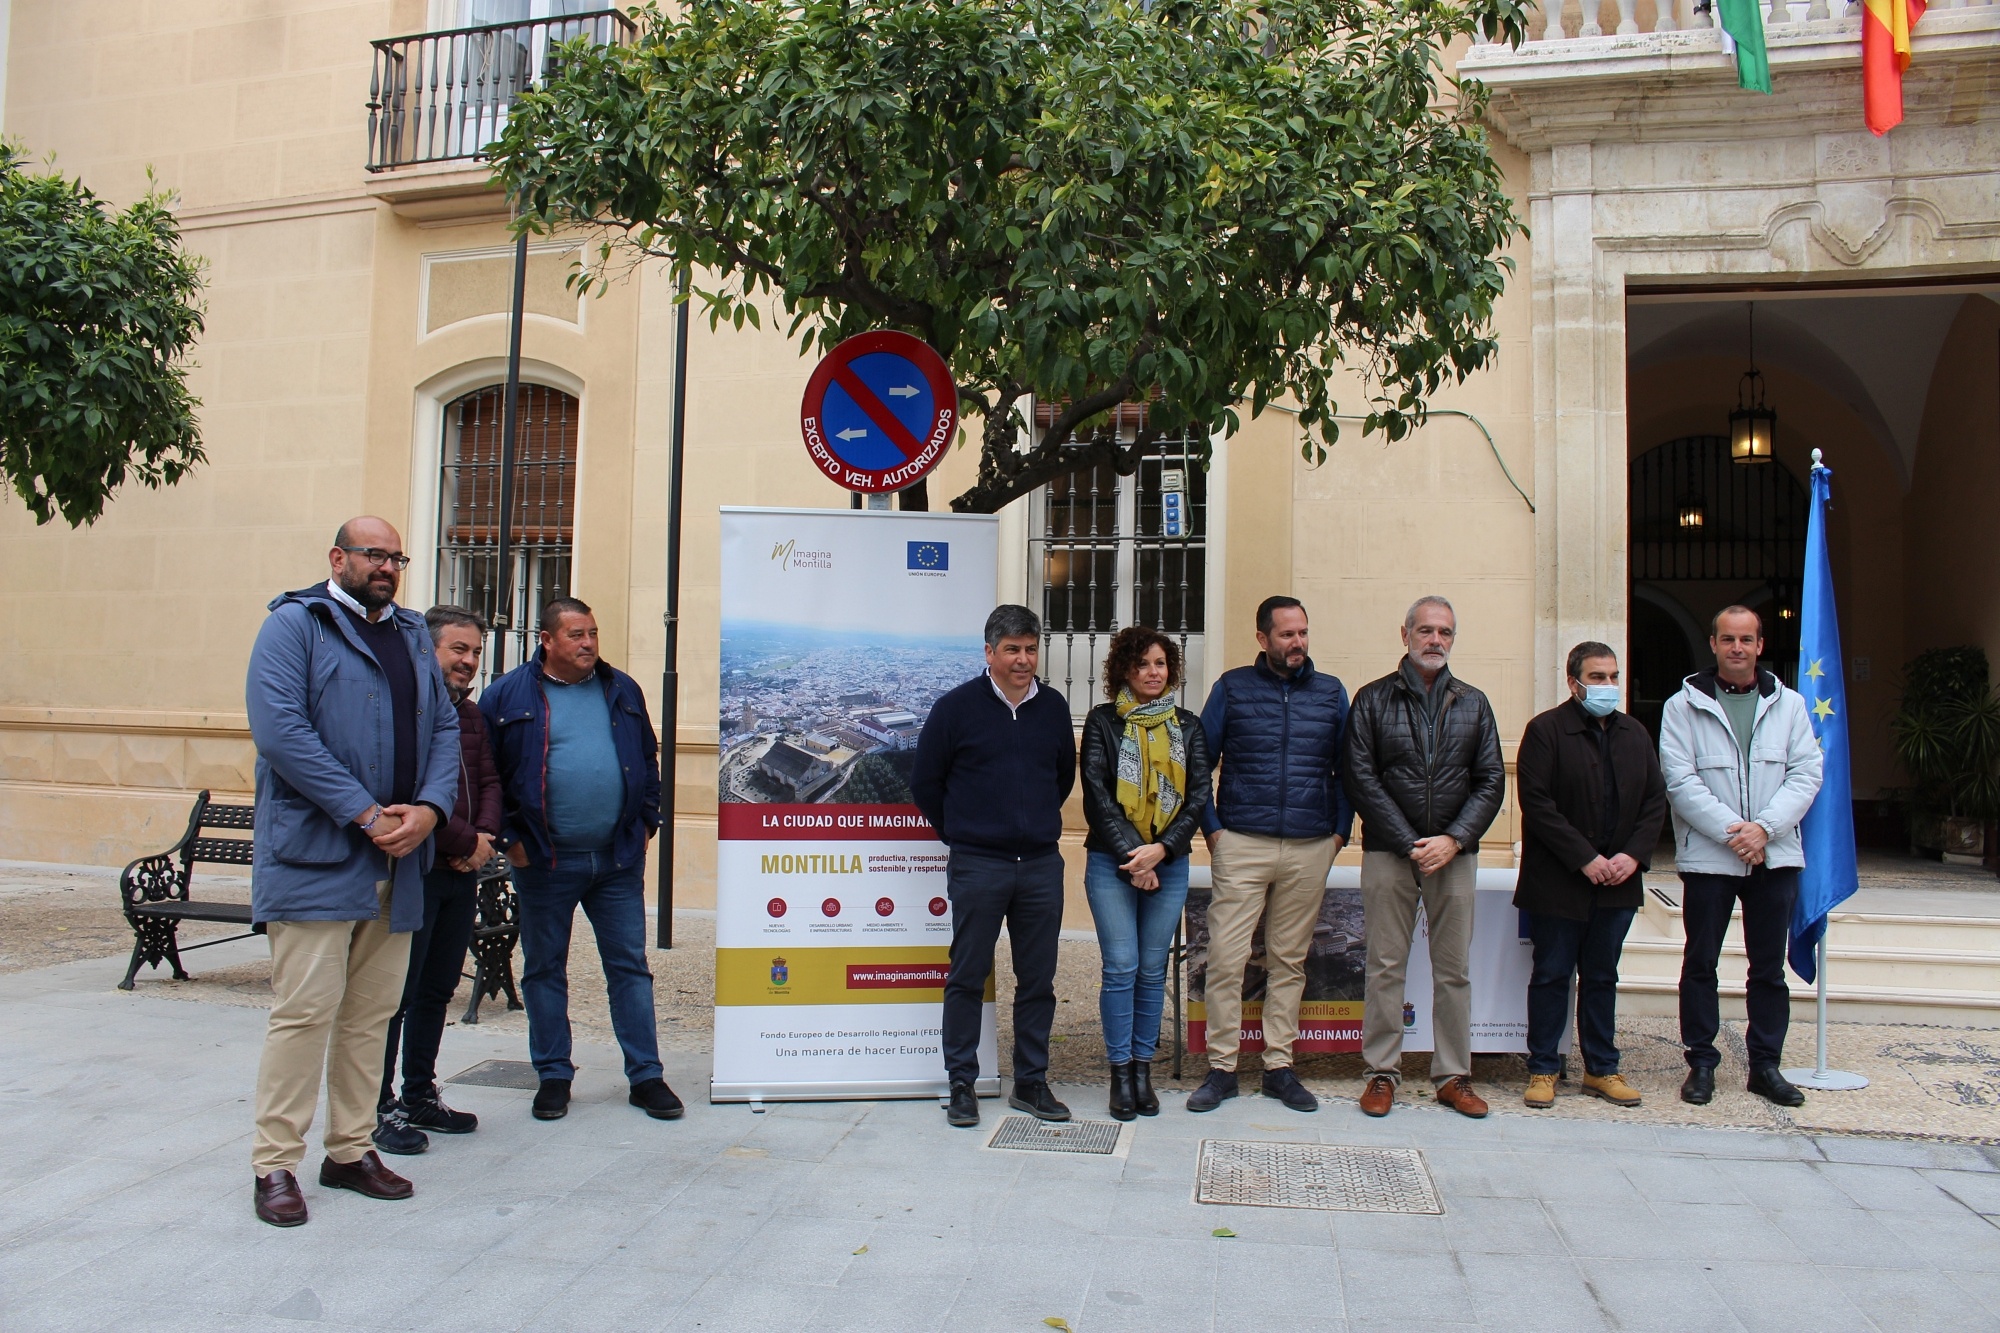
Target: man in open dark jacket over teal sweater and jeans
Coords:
[(581, 772)]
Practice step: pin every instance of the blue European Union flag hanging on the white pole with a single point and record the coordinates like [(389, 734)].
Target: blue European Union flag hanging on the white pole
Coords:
[(1829, 830)]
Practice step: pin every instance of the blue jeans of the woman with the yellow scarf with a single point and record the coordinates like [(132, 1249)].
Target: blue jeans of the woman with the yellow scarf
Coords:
[(1135, 934)]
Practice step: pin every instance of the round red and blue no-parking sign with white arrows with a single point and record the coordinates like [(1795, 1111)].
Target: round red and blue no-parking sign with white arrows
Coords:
[(879, 411)]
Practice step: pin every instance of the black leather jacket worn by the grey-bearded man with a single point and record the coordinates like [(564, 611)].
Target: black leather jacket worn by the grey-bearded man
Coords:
[(1411, 782)]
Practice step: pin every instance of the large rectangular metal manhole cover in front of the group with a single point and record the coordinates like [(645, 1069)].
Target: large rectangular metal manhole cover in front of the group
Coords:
[(1315, 1176)]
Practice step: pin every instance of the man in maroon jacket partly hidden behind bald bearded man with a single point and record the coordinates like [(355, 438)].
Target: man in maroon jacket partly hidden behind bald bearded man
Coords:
[(451, 902)]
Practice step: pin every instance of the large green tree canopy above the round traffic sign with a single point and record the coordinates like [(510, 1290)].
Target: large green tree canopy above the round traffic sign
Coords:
[(1077, 203)]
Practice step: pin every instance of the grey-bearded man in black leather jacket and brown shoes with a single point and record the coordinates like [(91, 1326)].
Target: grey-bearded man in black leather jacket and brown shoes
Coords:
[(1425, 774)]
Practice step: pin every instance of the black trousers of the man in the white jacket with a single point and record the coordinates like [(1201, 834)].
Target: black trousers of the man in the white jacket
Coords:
[(1705, 906)]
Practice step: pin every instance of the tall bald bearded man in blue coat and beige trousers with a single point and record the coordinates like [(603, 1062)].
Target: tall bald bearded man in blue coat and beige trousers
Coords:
[(357, 762)]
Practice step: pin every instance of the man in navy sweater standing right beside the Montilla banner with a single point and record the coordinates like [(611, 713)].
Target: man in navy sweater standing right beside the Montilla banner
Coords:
[(995, 764)]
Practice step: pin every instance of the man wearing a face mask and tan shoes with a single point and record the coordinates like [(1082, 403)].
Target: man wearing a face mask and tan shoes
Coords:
[(1591, 810)]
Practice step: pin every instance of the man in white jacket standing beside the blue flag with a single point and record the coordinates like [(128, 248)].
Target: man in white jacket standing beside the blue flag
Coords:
[(1741, 774)]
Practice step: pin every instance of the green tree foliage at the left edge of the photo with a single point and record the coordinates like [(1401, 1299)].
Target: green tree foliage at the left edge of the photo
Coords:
[(97, 315)]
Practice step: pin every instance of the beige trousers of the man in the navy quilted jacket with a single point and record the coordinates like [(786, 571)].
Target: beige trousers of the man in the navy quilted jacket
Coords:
[(1281, 882)]
